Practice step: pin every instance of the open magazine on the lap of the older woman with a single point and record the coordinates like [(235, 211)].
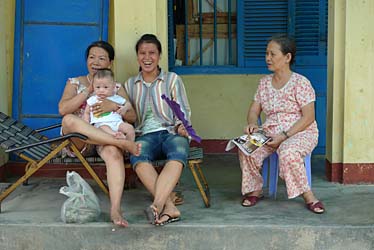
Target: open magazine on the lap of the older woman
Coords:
[(248, 143)]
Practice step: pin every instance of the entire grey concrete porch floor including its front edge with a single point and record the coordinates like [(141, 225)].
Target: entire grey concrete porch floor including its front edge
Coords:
[(30, 217)]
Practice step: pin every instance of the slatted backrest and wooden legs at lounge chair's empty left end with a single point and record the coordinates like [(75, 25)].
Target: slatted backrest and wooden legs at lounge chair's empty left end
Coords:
[(36, 149)]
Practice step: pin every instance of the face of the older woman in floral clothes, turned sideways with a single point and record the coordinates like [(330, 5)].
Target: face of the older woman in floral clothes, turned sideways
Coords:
[(275, 59)]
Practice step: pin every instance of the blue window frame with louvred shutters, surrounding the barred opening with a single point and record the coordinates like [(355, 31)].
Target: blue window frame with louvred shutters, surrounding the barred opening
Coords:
[(257, 21)]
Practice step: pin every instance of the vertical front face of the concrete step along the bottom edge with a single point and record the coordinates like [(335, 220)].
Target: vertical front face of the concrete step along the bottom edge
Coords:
[(184, 236)]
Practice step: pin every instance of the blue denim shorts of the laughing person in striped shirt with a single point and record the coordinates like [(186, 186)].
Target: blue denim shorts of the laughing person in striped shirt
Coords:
[(161, 145)]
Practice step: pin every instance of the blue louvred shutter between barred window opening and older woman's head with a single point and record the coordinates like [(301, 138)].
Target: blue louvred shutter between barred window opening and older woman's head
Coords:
[(257, 22)]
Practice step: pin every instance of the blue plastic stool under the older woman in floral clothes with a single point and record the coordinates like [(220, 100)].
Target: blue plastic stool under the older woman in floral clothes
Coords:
[(270, 168)]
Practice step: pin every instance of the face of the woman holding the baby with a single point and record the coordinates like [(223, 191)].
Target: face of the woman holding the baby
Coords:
[(97, 58)]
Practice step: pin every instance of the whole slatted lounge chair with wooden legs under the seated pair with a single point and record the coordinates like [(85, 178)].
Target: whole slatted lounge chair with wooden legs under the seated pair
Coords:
[(37, 150)]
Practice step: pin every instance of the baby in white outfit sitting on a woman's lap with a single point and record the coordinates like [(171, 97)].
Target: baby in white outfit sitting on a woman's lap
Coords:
[(111, 122)]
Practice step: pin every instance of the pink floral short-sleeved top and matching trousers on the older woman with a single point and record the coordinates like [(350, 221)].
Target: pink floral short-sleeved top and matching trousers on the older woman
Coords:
[(282, 108)]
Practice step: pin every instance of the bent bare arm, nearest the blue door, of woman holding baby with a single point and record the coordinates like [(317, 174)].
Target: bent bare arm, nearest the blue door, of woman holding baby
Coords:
[(70, 100)]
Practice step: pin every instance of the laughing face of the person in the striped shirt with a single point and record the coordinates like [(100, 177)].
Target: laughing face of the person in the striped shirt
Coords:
[(148, 57)]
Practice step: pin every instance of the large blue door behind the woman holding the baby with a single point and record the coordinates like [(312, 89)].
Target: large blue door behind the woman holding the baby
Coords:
[(50, 41)]
